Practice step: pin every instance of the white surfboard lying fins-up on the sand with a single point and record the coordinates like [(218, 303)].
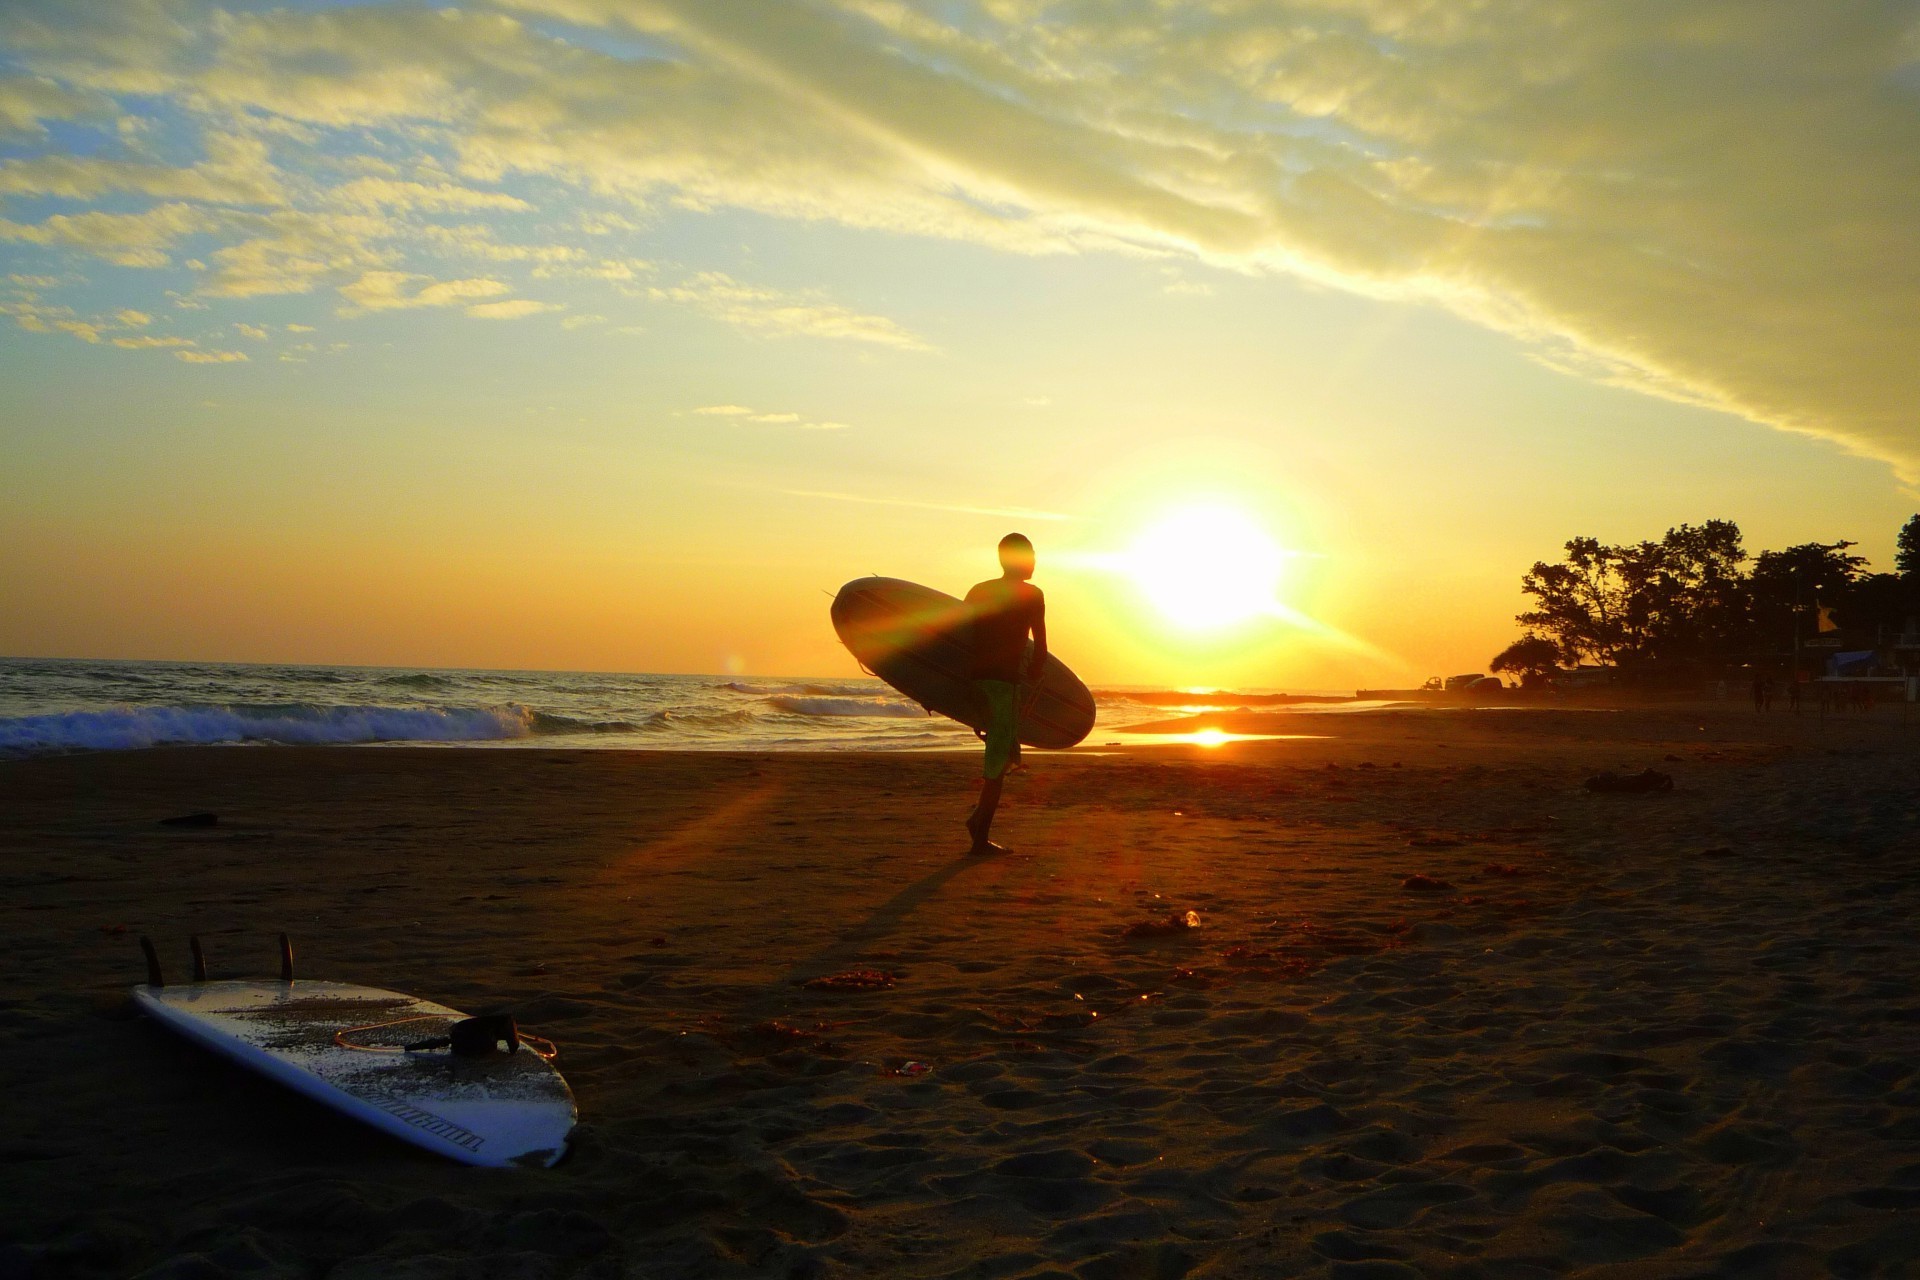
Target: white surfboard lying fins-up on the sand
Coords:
[(491, 1110)]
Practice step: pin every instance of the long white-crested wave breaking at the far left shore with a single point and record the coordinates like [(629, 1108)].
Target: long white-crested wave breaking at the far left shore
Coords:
[(126, 728)]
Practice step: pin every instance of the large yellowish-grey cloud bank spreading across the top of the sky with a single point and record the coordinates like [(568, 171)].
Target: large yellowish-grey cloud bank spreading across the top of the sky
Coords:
[(1710, 202)]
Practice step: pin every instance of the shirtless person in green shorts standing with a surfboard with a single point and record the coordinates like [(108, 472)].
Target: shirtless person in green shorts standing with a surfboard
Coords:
[(1003, 611)]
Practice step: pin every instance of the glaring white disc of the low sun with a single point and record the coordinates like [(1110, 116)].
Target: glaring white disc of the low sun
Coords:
[(1209, 569)]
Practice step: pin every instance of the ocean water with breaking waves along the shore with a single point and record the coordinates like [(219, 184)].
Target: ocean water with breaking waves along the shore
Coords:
[(59, 705)]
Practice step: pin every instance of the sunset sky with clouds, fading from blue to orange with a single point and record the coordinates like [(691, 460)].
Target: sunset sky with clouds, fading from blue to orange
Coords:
[(617, 335)]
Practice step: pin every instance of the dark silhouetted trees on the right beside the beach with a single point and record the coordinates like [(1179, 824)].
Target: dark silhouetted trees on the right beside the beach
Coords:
[(1698, 600)]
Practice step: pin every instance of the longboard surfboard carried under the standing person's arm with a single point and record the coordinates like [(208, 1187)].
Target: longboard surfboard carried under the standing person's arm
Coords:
[(919, 642)]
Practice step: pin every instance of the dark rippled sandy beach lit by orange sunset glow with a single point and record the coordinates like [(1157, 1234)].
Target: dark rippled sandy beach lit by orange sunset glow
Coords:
[(1445, 1012)]
